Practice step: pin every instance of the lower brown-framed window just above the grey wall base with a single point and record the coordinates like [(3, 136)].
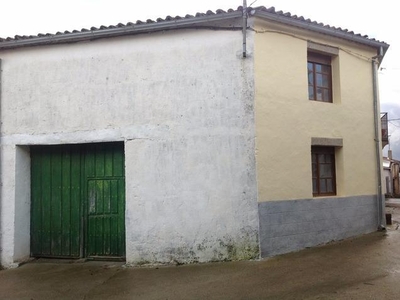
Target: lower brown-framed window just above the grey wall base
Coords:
[(323, 171)]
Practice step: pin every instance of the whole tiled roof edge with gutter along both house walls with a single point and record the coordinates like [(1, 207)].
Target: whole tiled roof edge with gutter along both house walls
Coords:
[(173, 23)]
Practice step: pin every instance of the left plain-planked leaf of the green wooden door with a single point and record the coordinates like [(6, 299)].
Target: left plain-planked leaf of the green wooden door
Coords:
[(55, 205)]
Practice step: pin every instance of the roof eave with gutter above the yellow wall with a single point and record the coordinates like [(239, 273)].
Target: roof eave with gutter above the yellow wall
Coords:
[(321, 29)]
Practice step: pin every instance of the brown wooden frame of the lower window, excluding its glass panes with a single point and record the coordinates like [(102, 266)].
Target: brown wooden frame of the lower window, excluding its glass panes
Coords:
[(316, 152)]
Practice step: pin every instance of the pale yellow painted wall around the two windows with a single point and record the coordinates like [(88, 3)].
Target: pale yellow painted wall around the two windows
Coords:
[(286, 120)]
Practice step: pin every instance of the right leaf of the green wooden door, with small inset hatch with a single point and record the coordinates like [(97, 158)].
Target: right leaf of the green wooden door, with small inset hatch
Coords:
[(105, 201)]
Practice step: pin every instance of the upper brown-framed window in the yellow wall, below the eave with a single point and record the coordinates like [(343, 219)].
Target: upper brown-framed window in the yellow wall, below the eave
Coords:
[(319, 77)]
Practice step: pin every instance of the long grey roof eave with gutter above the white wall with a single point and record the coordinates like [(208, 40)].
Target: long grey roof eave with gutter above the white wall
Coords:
[(119, 31)]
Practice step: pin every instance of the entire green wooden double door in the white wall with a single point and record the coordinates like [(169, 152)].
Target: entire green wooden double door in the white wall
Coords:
[(65, 181)]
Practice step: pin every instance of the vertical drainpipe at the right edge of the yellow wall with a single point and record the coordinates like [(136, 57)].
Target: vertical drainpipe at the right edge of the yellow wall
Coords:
[(375, 61)]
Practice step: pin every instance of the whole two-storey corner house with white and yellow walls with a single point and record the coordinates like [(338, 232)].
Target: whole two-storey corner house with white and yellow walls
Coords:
[(188, 139)]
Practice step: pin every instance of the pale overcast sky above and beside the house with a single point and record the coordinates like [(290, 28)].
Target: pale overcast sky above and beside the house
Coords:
[(376, 19)]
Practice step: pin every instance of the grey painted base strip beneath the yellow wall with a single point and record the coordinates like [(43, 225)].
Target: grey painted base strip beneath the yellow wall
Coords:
[(287, 226)]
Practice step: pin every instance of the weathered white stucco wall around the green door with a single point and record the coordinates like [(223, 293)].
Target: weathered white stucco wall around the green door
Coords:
[(182, 102)]
